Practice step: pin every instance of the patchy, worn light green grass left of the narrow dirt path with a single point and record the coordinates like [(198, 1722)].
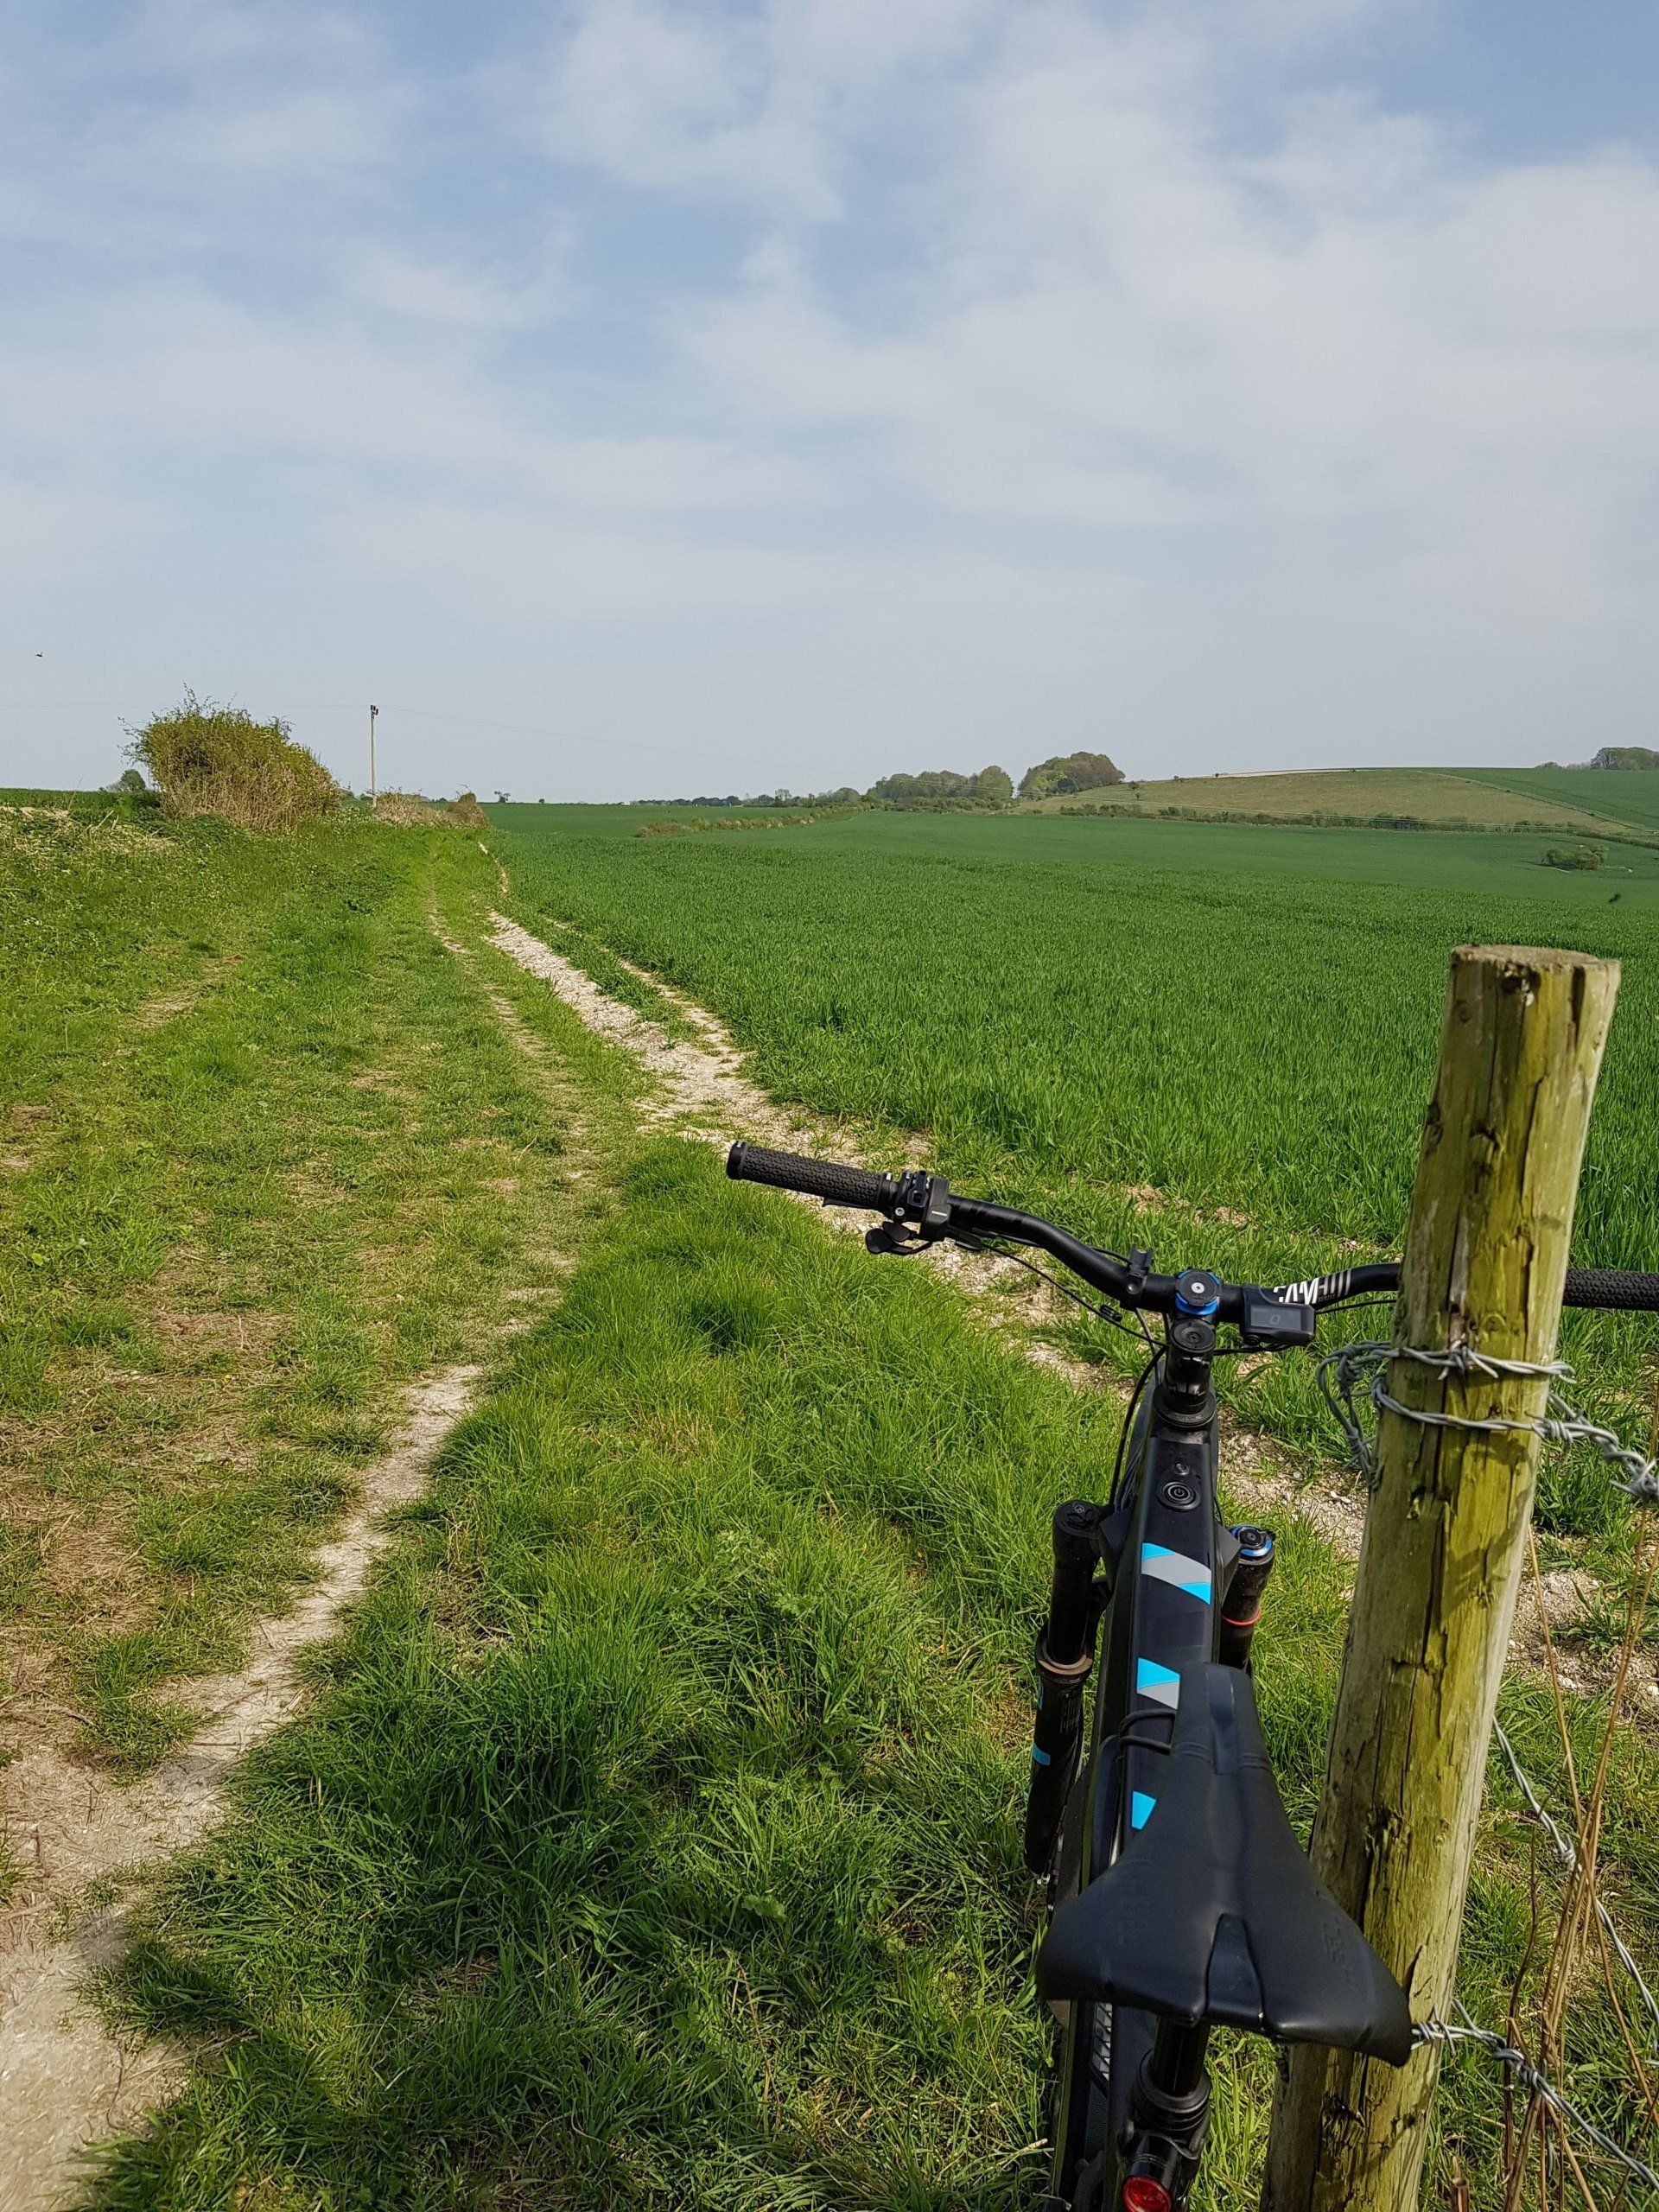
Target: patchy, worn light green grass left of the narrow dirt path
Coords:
[(260, 1156)]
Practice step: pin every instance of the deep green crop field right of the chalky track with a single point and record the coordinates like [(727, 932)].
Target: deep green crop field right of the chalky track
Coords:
[(1238, 1019)]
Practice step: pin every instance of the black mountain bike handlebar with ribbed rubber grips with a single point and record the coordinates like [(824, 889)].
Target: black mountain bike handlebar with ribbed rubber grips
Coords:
[(928, 1202)]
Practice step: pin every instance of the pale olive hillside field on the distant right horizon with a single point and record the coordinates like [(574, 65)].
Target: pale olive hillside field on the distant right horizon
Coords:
[(1430, 795)]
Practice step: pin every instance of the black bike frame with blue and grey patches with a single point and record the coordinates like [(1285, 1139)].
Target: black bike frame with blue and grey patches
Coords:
[(1167, 1565)]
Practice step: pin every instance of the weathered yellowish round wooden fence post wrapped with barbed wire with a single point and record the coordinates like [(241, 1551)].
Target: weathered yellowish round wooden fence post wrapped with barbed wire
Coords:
[(1446, 1536)]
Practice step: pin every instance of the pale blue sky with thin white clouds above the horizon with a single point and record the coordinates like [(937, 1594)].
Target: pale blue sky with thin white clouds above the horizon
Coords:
[(643, 399)]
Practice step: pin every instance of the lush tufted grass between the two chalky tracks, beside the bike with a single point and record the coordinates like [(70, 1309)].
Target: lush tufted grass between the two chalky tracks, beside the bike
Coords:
[(656, 1835)]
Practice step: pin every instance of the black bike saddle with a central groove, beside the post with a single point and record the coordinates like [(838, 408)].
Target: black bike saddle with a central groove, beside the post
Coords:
[(1213, 1912)]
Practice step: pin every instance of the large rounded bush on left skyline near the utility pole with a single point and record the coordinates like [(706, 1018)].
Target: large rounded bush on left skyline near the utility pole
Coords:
[(218, 760)]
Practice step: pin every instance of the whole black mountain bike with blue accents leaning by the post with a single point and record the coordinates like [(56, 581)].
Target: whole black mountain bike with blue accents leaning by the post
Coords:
[(1176, 1892)]
